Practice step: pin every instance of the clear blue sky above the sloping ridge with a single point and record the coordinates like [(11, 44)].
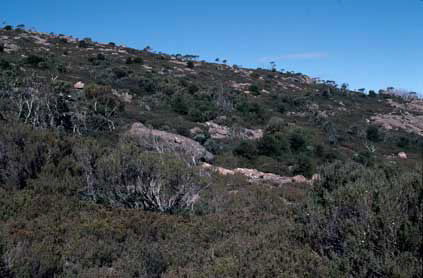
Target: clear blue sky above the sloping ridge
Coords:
[(365, 43)]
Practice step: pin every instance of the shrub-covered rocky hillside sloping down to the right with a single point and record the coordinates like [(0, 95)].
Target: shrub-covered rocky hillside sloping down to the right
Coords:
[(106, 158)]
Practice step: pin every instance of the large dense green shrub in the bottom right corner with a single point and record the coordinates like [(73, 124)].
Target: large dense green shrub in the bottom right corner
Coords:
[(366, 221)]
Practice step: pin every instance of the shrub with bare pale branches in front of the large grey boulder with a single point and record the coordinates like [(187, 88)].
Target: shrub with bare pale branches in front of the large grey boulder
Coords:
[(127, 177)]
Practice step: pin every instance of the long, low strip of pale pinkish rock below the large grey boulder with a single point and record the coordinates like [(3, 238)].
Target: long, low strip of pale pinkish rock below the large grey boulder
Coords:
[(255, 176)]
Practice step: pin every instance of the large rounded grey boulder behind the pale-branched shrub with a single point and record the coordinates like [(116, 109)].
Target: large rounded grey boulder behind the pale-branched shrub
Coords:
[(168, 142)]
